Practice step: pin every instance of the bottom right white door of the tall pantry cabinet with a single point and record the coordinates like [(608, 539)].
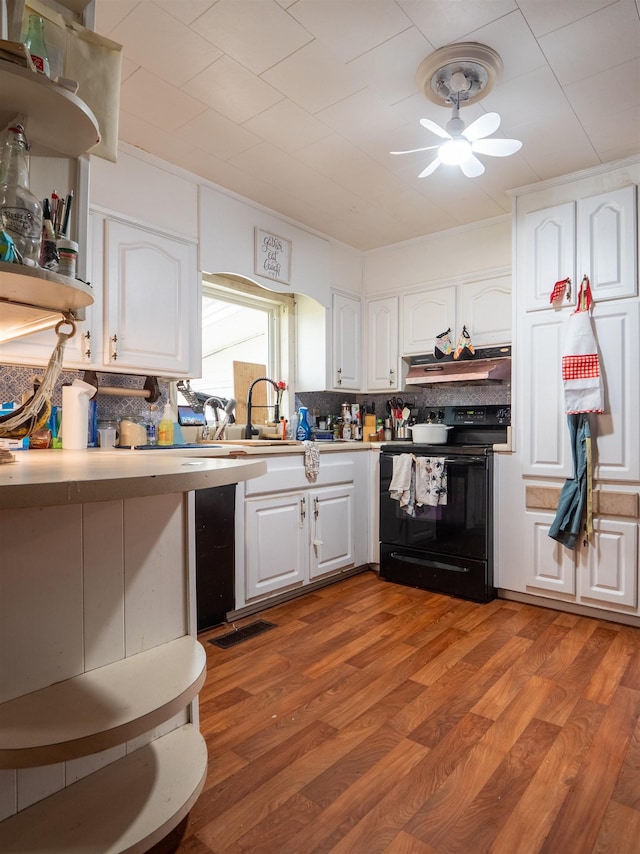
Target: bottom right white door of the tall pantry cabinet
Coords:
[(608, 568)]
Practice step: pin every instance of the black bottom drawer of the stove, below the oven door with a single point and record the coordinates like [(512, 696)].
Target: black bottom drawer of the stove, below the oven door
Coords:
[(453, 576)]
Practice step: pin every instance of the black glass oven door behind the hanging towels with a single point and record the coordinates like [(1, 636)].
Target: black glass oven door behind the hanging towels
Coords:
[(459, 528)]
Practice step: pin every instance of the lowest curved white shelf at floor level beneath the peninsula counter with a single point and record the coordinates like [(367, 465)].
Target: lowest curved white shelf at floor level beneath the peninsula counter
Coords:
[(129, 805)]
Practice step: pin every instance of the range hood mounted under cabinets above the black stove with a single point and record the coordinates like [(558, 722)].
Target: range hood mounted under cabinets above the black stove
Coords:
[(491, 364)]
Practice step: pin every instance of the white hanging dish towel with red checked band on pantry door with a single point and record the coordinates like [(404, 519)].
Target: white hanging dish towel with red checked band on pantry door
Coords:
[(580, 361)]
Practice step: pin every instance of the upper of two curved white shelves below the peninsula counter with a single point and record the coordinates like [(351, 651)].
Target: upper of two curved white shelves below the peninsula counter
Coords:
[(101, 708)]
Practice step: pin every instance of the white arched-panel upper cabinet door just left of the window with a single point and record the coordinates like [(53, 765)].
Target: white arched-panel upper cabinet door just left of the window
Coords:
[(151, 298)]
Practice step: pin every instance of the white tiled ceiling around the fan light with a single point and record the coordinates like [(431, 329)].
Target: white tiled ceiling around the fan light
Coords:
[(295, 104)]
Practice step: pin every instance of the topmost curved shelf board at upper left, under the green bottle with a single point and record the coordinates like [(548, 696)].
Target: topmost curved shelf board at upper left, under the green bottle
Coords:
[(57, 122)]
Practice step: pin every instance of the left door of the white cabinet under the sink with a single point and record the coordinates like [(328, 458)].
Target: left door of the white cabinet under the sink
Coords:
[(276, 543)]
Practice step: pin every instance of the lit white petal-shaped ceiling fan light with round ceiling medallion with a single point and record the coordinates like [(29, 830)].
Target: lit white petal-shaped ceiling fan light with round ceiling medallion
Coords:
[(459, 74)]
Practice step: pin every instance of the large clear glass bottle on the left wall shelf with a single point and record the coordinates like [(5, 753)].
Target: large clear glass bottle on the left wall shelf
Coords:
[(20, 210)]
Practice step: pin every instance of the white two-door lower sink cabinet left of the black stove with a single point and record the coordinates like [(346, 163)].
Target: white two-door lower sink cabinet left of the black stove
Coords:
[(290, 532)]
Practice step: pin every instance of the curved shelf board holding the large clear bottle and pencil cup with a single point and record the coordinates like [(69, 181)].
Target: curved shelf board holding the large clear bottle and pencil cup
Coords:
[(42, 289)]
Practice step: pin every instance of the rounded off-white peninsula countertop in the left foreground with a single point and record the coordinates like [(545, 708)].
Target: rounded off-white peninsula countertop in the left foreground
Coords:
[(54, 477)]
